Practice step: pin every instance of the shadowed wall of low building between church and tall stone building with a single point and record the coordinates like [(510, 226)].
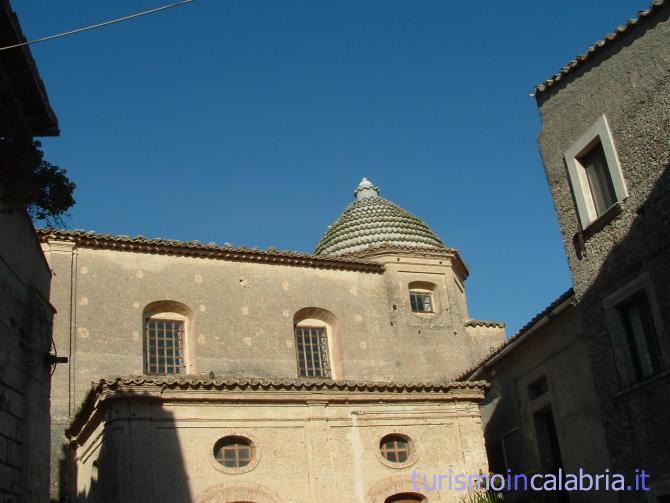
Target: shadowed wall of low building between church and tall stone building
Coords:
[(555, 350)]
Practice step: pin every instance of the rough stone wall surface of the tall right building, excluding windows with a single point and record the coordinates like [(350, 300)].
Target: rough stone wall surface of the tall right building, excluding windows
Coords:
[(629, 82)]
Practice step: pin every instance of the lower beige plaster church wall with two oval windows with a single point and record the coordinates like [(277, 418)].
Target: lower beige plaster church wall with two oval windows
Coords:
[(309, 449)]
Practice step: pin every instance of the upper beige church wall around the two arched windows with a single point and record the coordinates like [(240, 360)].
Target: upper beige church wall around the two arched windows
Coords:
[(242, 319)]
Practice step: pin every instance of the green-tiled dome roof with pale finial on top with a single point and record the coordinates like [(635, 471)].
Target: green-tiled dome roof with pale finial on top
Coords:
[(374, 222)]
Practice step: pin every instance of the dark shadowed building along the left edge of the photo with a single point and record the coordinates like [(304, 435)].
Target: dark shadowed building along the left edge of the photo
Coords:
[(25, 311)]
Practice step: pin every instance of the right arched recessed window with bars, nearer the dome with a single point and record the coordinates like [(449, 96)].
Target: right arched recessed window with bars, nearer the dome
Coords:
[(317, 343)]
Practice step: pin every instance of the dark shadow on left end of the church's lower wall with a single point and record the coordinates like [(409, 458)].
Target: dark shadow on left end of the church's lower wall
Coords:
[(129, 452)]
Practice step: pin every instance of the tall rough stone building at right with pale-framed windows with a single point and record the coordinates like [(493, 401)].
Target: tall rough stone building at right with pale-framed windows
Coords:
[(604, 143)]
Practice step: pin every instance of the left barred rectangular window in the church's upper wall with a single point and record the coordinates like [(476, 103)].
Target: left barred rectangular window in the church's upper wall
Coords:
[(165, 346)]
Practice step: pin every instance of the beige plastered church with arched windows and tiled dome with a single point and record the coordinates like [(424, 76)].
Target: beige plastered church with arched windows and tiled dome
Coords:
[(356, 328)]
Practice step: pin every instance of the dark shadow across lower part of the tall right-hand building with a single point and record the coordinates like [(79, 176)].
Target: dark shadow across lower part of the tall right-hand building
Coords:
[(633, 403)]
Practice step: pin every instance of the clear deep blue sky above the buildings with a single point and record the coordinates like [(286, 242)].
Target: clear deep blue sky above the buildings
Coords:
[(251, 122)]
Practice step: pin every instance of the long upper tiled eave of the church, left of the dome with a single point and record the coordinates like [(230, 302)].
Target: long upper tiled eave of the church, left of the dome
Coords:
[(162, 246)]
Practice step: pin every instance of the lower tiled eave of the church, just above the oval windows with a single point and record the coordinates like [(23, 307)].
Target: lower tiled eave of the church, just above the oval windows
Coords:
[(140, 383)]
